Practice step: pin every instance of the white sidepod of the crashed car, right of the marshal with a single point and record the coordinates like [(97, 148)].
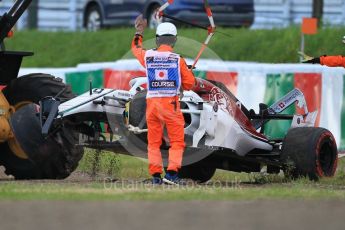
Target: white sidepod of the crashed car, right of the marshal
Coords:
[(218, 128)]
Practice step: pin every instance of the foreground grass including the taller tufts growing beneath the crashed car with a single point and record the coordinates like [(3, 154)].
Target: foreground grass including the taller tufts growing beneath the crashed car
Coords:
[(124, 179)]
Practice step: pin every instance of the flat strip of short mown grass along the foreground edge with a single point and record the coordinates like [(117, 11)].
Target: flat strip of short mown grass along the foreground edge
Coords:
[(140, 191)]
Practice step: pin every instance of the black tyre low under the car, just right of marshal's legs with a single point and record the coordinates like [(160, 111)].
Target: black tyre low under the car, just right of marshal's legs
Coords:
[(201, 171)]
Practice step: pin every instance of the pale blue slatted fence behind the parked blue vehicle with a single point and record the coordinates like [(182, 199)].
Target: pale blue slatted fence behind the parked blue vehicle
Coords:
[(68, 14)]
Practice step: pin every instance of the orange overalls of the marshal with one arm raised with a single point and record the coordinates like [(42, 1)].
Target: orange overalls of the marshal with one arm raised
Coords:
[(164, 110)]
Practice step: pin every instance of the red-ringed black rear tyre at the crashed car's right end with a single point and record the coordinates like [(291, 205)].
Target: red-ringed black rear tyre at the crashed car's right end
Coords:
[(311, 152)]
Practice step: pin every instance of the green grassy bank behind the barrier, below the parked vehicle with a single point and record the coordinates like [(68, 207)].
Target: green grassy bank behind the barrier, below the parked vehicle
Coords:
[(66, 49)]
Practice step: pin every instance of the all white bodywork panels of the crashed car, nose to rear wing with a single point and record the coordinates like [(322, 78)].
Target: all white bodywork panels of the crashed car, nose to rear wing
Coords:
[(210, 126)]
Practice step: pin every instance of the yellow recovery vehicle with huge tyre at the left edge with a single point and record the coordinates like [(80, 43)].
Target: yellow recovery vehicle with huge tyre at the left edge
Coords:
[(52, 157)]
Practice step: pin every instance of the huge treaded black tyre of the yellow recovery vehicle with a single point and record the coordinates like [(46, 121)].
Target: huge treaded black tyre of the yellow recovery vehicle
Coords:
[(63, 155)]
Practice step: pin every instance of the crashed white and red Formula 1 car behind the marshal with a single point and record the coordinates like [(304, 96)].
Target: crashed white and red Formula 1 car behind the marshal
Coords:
[(219, 131)]
